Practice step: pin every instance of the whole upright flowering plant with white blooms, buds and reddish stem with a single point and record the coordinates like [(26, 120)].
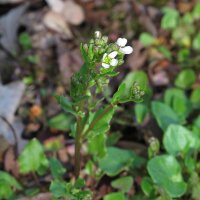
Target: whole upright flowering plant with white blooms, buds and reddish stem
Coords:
[(87, 94)]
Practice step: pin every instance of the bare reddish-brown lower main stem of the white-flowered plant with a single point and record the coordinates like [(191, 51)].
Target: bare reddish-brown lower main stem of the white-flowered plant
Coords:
[(78, 147)]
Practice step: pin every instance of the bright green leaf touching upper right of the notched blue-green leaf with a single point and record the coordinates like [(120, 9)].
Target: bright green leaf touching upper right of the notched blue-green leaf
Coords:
[(179, 102)]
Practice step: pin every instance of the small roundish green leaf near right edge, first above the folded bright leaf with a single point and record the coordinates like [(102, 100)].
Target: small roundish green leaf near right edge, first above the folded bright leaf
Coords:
[(185, 79)]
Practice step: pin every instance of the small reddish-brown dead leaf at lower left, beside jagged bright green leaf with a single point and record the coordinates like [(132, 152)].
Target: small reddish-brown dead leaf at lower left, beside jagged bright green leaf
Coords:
[(10, 162)]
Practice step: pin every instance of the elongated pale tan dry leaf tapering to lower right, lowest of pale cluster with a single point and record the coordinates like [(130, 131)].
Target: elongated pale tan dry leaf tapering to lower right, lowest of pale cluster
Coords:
[(56, 22)]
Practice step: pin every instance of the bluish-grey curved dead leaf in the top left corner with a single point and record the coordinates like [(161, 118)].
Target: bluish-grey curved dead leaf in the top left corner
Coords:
[(9, 25)]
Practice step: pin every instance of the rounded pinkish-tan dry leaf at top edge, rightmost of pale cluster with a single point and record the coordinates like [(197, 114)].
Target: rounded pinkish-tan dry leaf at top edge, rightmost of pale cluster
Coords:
[(73, 13)]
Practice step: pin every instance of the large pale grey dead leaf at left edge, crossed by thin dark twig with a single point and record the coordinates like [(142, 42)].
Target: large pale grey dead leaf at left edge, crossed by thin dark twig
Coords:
[(10, 96)]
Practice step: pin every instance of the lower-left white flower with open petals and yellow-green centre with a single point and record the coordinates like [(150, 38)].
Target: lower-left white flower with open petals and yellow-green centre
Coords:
[(109, 60)]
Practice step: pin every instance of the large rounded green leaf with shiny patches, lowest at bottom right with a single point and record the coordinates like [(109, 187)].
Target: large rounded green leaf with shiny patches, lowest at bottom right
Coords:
[(166, 173)]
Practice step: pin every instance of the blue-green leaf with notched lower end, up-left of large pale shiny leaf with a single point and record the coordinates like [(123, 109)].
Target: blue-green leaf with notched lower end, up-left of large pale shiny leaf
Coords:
[(164, 115)]
